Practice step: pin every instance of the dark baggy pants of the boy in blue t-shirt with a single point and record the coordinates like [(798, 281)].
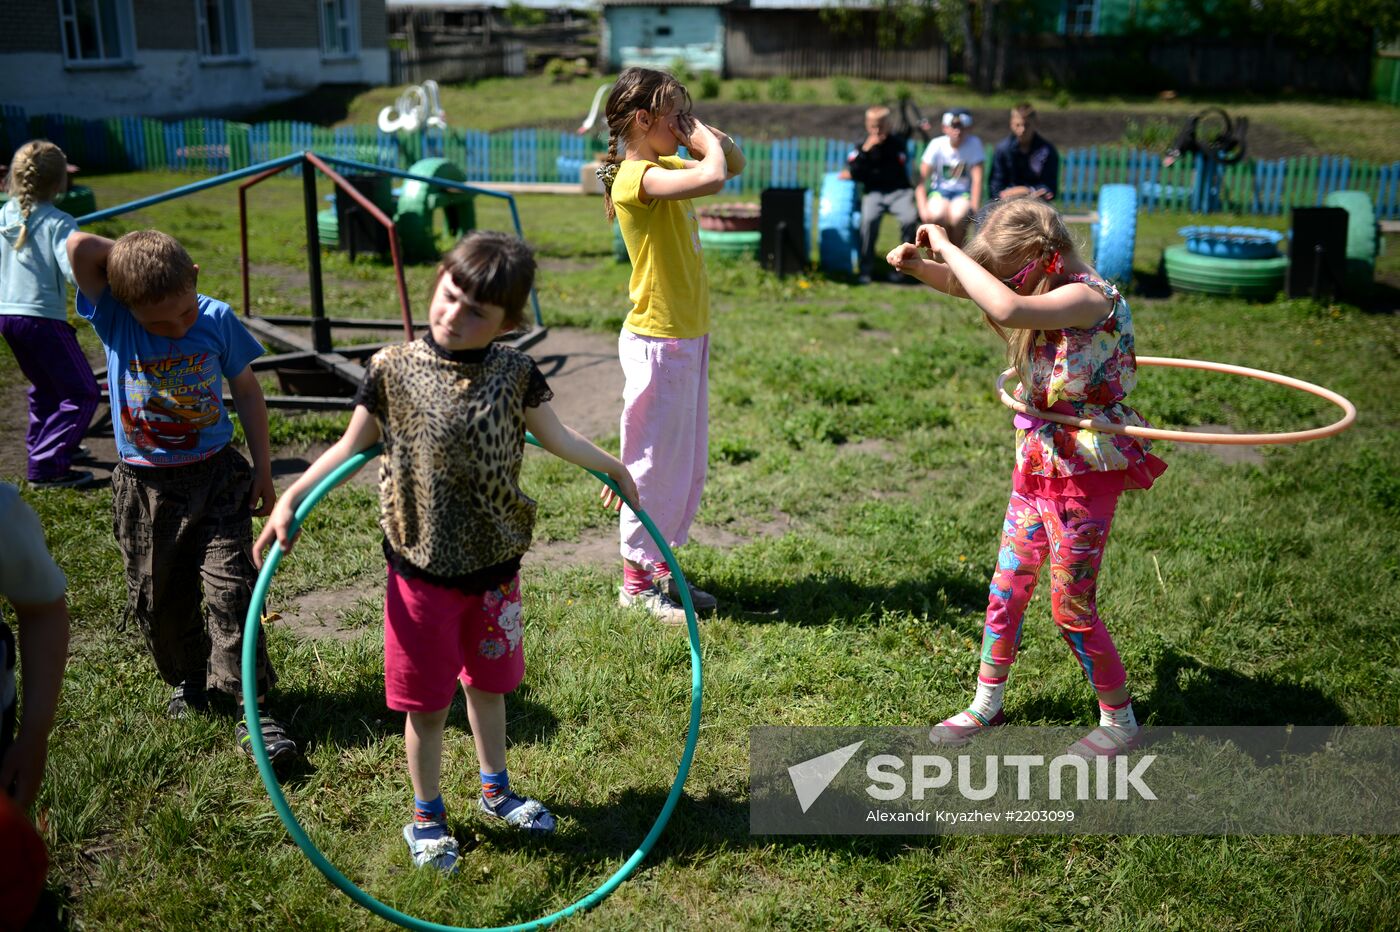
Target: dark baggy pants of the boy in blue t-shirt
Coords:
[(187, 537)]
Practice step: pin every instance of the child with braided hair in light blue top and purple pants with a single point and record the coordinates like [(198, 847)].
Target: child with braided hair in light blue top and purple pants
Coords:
[(34, 278)]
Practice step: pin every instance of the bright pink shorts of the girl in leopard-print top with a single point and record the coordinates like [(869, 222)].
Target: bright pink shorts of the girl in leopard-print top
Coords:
[(436, 636)]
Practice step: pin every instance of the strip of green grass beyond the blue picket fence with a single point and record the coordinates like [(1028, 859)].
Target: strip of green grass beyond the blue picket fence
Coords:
[(1360, 129)]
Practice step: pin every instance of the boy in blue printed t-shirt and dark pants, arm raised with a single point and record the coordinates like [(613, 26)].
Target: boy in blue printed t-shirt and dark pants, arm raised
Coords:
[(183, 497)]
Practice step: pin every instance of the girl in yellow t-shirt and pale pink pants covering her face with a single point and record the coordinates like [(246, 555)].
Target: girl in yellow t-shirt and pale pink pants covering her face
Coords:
[(664, 345)]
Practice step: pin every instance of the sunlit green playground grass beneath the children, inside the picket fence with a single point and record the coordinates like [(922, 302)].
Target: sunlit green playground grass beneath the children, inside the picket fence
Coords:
[(862, 463)]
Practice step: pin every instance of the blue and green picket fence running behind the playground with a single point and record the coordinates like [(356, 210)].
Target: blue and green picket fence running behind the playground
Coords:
[(530, 156)]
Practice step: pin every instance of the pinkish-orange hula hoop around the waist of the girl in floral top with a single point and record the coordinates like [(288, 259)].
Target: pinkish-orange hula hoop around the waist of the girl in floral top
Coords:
[(1349, 411)]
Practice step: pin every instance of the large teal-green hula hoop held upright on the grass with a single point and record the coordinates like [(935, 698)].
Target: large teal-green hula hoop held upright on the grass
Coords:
[(299, 835)]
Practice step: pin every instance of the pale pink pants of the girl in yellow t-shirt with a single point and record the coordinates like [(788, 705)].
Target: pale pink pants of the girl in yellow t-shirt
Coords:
[(666, 437)]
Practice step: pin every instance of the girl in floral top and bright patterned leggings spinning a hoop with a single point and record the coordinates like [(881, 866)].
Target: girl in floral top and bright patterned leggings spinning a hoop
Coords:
[(1070, 338)]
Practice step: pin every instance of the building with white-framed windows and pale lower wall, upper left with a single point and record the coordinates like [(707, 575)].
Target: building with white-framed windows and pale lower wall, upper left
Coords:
[(171, 58)]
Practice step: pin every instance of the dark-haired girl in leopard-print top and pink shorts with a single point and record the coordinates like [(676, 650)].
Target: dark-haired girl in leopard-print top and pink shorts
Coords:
[(451, 412)]
